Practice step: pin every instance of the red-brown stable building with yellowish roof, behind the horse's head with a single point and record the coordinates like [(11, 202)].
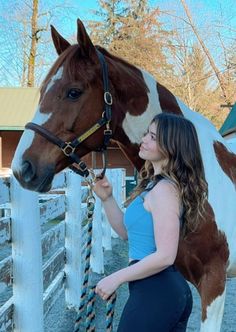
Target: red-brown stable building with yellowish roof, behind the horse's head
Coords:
[(17, 107)]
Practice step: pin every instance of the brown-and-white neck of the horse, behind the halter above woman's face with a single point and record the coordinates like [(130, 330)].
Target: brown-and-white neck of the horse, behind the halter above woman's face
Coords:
[(138, 98)]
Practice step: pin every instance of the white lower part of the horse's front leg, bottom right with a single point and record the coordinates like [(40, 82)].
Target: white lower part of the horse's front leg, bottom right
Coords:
[(215, 313)]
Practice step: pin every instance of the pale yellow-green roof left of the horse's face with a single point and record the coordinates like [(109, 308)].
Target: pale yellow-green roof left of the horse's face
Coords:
[(17, 107)]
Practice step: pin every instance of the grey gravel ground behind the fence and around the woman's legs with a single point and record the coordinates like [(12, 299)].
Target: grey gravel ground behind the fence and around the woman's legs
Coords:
[(59, 319)]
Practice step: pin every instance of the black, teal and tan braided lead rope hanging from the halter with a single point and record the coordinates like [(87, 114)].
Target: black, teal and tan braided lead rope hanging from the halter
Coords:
[(89, 292)]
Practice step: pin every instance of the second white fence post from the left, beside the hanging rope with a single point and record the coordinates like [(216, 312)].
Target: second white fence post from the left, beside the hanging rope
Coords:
[(73, 240)]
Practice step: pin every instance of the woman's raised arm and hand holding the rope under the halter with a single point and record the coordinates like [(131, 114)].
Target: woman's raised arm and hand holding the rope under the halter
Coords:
[(115, 216)]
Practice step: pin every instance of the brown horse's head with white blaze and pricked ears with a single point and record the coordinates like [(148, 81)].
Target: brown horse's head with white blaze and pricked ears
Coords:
[(71, 102)]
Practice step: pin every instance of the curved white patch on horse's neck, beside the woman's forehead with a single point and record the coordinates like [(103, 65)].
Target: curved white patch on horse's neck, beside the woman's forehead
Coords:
[(133, 125)]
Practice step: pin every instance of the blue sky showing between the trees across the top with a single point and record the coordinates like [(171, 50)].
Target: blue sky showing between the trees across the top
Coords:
[(210, 16)]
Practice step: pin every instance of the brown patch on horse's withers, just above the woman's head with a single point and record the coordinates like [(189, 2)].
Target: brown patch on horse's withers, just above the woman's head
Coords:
[(168, 101)]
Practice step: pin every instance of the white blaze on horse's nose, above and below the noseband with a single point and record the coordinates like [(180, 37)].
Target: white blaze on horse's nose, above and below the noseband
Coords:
[(27, 139)]
